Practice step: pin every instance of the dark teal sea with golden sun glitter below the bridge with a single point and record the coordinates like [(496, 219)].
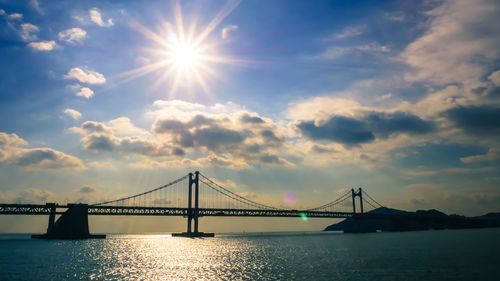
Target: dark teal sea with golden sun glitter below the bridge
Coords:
[(424, 255)]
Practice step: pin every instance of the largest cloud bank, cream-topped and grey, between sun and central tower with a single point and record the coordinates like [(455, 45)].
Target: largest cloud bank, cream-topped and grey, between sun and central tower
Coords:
[(189, 135)]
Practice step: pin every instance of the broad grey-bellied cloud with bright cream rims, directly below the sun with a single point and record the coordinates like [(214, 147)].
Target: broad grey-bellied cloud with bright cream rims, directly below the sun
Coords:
[(241, 138)]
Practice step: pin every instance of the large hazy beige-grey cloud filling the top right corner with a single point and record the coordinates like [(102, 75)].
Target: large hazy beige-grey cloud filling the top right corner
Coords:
[(457, 47)]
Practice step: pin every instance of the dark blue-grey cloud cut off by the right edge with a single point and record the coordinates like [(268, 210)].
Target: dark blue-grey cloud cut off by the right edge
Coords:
[(479, 120)]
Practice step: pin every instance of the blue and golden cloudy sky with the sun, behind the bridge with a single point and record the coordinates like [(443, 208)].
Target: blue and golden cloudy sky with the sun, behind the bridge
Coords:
[(107, 98)]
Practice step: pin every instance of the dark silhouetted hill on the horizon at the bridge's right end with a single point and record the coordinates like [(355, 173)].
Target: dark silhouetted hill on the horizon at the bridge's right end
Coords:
[(387, 219)]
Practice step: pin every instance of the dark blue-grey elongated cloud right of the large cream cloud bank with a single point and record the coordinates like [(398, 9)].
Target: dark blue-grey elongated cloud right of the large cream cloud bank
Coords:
[(340, 129)]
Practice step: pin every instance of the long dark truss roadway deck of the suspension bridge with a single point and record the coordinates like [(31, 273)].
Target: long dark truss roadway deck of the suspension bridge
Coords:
[(39, 209)]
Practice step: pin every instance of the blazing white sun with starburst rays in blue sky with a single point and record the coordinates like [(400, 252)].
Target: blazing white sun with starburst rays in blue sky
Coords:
[(183, 56)]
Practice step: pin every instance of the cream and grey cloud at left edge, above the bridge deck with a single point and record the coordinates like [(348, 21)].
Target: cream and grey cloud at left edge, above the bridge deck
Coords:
[(12, 153)]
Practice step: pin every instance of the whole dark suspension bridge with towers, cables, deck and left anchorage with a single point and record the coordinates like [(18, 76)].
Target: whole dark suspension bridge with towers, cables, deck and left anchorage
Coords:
[(191, 196)]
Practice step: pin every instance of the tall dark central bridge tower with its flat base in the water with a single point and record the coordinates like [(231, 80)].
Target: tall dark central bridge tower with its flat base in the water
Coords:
[(193, 213)]
